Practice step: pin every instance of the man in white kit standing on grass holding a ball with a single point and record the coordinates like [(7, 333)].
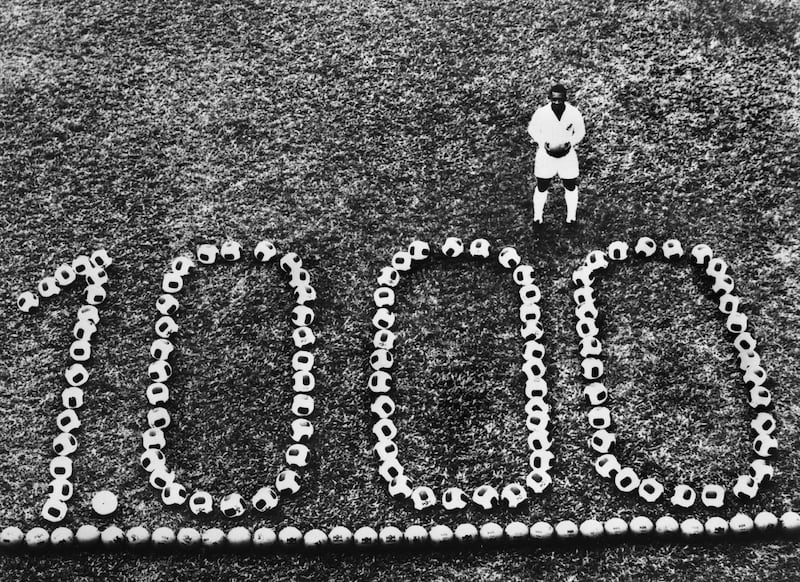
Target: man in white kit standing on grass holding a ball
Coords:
[(556, 128)]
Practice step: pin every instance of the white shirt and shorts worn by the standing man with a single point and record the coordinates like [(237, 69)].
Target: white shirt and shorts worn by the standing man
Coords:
[(545, 127)]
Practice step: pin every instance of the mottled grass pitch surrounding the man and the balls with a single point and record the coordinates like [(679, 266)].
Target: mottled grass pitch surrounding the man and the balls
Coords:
[(342, 131)]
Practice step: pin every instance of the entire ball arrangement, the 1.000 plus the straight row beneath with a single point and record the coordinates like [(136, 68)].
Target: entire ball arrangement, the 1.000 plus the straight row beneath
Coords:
[(288, 481)]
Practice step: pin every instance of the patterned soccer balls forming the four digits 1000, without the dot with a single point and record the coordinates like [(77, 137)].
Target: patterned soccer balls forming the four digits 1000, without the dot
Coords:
[(400, 485)]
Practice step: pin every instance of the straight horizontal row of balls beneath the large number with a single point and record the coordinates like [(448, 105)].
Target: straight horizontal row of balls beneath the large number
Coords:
[(241, 538)]
